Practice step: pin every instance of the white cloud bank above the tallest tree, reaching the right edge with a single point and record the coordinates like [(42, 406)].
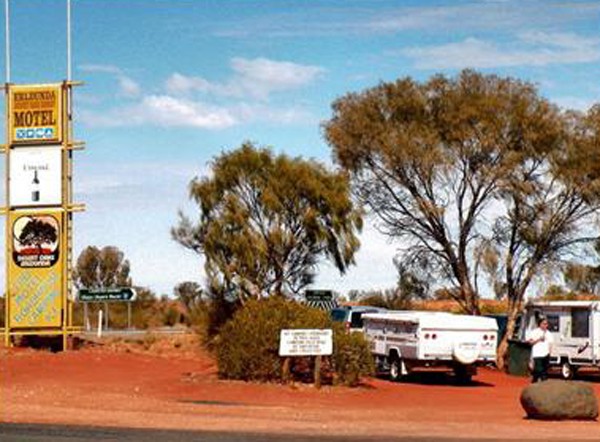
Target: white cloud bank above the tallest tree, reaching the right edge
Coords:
[(536, 49)]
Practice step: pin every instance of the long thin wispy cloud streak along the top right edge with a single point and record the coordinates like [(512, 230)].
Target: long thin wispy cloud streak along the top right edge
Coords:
[(374, 19)]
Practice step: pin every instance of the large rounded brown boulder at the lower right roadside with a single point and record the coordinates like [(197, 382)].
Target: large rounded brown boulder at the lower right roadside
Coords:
[(560, 400)]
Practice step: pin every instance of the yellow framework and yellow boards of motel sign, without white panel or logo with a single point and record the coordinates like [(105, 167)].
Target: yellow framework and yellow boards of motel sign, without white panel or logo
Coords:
[(56, 317)]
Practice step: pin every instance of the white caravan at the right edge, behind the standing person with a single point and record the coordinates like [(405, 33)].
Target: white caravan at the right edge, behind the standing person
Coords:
[(575, 327)]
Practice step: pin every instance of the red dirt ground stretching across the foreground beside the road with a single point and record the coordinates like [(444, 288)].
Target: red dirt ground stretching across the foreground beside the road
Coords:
[(173, 387)]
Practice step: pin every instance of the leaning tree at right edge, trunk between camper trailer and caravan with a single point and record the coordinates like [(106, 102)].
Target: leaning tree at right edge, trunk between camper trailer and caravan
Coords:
[(552, 205)]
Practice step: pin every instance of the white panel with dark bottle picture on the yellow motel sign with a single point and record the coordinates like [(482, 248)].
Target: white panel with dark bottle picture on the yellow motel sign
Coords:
[(35, 176)]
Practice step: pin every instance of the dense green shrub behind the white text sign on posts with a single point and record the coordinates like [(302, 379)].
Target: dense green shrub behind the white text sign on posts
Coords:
[(247, 347)]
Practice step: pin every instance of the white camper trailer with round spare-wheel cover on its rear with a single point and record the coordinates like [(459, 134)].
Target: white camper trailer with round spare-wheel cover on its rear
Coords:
[(403, 341)]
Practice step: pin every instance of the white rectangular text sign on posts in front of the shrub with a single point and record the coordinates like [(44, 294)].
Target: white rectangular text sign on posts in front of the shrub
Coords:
[(306, 342)]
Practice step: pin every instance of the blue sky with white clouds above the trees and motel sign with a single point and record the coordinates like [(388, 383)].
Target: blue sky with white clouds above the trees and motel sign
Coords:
[(170, 84)]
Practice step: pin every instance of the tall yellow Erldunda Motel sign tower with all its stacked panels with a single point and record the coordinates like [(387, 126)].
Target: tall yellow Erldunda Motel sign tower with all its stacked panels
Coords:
[(39, 208)]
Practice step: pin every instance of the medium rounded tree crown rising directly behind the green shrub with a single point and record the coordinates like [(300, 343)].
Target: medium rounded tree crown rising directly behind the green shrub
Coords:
[(266, 220)]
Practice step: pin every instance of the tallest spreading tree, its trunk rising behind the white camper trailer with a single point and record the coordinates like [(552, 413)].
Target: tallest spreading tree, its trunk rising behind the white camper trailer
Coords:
[(427, 159)]
